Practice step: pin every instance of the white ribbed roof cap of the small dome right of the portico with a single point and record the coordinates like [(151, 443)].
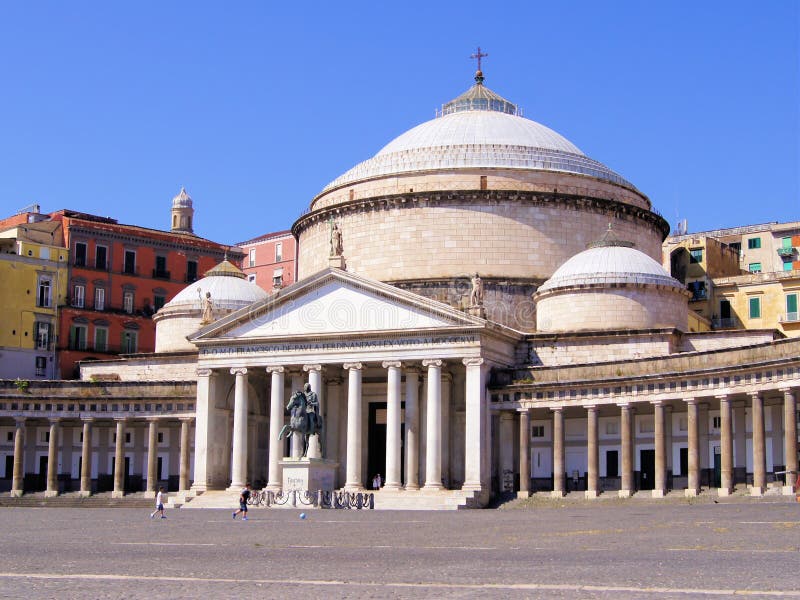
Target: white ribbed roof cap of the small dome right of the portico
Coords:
[(609, 265)]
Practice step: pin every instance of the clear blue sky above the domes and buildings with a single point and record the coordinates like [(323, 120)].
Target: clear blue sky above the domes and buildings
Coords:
[(254, 106)]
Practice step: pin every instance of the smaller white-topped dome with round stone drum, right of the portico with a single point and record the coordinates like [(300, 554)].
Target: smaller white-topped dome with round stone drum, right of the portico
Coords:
[(611, 286)]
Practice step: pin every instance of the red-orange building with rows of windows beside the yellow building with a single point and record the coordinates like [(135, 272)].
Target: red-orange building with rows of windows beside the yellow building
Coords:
[(119, 276)]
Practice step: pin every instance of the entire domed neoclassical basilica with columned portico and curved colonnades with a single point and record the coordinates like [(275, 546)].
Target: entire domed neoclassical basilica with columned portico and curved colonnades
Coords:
[(480, 308)]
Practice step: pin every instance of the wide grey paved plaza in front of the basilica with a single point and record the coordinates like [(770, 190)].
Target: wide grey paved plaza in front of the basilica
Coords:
[(550, 549)]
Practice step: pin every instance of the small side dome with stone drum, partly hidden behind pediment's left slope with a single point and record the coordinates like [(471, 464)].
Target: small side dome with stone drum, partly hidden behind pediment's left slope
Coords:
[(221, 291)]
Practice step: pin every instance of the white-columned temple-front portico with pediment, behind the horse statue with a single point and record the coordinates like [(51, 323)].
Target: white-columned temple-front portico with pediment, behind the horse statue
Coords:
[(416, 373)]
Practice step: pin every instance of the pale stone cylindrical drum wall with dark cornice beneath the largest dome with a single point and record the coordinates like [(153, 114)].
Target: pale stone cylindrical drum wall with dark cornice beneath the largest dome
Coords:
[(499, 235)]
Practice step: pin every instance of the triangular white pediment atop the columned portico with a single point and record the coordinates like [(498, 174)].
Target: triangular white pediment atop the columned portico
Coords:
[(335, 302)]
